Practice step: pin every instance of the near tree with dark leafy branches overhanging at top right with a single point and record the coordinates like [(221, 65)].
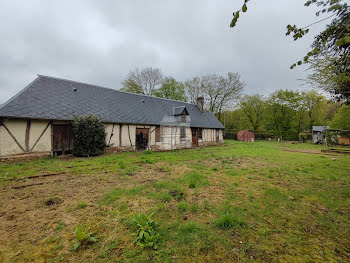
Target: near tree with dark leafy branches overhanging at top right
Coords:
[(330, 53)]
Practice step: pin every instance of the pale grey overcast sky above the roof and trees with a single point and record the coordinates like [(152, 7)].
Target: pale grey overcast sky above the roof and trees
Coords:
[(100, 41)]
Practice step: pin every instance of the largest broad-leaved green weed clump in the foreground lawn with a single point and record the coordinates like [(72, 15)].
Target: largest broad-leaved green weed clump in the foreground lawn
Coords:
[(146, 231)]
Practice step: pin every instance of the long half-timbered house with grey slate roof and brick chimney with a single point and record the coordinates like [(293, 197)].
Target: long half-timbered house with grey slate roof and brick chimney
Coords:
[(38, 119)]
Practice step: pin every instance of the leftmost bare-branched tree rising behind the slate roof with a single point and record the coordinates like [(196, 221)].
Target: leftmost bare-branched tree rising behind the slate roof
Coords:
[(145, 81)]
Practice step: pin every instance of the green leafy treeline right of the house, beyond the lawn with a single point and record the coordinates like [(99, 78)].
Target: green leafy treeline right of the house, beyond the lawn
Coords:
[(285, 114)]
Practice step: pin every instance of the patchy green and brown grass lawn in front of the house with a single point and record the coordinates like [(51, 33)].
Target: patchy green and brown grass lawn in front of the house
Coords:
[(239, 202)]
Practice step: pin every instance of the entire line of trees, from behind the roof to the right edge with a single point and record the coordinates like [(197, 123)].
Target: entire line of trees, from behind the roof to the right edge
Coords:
[(283, 114)]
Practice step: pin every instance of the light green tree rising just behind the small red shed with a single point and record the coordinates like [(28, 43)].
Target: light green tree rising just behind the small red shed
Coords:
[(253, 108)]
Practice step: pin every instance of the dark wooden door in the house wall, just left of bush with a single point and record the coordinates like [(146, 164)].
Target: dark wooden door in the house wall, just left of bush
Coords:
[(62, 139)]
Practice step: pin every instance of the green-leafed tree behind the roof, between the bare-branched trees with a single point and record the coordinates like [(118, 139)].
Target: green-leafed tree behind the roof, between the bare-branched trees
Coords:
[(171, 89)]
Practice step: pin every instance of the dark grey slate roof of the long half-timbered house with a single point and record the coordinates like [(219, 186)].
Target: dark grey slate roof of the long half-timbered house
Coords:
[(59, 99)]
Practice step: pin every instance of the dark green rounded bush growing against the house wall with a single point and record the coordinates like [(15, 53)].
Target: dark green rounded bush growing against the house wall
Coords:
[(89, 136)]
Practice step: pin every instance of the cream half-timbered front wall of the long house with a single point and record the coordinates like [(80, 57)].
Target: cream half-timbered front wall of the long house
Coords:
[(22, 136)]
